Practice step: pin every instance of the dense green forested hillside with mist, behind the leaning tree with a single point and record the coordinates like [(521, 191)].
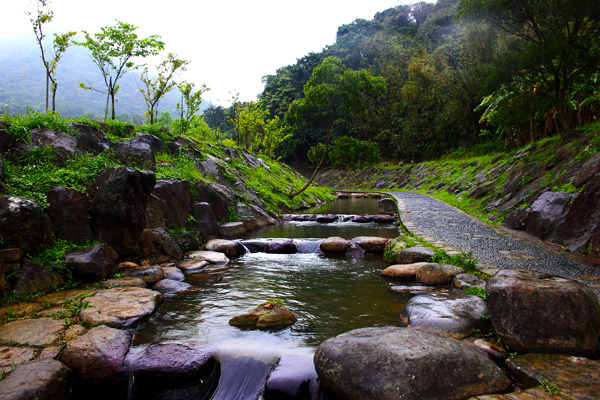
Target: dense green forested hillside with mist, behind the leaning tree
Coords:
[(459, 74)]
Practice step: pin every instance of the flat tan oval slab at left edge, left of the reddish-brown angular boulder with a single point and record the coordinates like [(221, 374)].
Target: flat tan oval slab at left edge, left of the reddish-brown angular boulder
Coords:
[(32, 332)]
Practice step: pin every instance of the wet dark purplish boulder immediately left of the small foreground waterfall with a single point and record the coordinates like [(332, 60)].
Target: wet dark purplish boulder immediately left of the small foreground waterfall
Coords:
[(187, 370)]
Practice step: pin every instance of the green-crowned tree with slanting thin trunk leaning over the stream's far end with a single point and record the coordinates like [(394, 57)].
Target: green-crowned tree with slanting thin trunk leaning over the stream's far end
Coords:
[(333, 97)]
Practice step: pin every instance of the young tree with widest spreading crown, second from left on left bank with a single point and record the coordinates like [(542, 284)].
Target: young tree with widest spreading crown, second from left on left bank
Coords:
[(113, 50)]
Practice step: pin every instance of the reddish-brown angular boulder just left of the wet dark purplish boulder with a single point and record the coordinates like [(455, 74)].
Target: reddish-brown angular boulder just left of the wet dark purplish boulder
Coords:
[(98, 357)]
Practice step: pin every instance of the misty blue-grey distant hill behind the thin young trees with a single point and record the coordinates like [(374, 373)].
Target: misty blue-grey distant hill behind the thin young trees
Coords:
[(23, 83)]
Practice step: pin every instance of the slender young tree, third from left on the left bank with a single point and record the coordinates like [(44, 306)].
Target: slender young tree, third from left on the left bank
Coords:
[(156, 88)]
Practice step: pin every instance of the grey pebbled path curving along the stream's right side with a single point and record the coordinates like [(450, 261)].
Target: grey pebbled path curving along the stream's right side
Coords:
[(448, 227)]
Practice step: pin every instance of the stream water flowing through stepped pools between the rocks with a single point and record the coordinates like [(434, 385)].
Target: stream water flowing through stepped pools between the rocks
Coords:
[(328, 294)]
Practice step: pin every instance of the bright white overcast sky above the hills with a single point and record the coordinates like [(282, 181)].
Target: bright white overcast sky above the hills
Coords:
[(231, 44)]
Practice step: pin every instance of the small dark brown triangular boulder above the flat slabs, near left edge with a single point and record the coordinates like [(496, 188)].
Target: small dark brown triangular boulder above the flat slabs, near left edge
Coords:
[(36, 278)]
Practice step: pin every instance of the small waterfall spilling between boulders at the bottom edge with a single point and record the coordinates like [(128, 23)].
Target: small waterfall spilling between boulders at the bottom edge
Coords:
[(244, 370)]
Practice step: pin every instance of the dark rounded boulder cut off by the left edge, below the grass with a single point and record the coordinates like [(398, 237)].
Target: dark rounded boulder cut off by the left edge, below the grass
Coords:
[(24, 225)]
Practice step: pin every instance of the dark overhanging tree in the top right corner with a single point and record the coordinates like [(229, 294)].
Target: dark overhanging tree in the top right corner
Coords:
[(555, 41)]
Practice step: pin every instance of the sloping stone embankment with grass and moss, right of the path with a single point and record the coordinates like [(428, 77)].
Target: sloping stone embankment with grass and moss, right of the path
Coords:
[(551, 191)]
